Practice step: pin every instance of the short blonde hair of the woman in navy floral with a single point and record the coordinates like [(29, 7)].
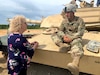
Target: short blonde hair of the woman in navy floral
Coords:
[(16, 23)]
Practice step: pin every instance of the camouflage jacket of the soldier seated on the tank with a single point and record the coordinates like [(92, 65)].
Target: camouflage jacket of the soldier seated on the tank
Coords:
[(74, 29)]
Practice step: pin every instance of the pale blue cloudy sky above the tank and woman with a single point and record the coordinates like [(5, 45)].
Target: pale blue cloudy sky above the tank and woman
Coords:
[(32, 9)]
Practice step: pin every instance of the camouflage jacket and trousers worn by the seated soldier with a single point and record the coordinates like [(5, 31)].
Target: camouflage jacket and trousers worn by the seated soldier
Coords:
[(73, 30)]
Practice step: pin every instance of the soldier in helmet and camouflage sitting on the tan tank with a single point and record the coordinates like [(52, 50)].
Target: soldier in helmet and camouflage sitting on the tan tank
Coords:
[(69, 37)]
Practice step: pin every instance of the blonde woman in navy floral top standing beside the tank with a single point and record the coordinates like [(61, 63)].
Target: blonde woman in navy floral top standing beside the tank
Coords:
[(20, 51)]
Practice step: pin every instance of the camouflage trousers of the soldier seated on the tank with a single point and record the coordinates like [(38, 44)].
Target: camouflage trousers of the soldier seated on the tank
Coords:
[(76, 44)]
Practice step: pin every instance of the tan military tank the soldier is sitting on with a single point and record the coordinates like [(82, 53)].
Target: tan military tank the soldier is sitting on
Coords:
[(48, 60)]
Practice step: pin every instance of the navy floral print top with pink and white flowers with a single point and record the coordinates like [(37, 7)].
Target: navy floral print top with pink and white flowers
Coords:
[(19, 53)]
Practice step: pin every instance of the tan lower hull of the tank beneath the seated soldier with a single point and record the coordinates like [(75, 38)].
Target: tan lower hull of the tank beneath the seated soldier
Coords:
[(48, 54)]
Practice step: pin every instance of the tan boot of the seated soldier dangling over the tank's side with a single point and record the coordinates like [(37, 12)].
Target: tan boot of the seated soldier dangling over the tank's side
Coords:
[(74, 66)]
